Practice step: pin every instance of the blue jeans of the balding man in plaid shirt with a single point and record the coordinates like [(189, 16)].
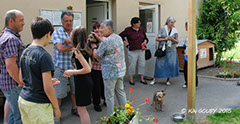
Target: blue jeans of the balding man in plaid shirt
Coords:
[(12, 97)]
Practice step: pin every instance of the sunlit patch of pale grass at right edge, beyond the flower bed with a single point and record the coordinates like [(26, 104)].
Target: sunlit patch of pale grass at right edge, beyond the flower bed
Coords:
[(235, 52)]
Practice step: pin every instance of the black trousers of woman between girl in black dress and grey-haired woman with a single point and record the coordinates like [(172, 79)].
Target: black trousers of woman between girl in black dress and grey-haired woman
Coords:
[(98, 87)]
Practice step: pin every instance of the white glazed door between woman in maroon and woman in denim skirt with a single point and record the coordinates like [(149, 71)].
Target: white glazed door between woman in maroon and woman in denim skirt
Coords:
[(150, 22)]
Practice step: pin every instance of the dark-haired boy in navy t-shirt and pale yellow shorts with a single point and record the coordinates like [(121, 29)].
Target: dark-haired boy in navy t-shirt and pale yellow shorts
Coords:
[(38, 100)]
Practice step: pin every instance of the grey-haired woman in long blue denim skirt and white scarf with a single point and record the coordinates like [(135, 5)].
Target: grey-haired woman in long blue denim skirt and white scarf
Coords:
[(167, 65)]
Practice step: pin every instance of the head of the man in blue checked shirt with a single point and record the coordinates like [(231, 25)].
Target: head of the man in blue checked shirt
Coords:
[(67, 20)]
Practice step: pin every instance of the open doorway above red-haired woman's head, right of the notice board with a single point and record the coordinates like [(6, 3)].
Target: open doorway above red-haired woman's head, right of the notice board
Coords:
[(97, 11)]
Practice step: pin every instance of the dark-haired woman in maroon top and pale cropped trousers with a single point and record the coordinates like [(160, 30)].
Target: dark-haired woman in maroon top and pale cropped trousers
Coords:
[(136, 42)]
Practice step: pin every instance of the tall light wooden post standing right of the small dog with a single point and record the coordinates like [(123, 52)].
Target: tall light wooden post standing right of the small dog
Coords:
[(191, 91)]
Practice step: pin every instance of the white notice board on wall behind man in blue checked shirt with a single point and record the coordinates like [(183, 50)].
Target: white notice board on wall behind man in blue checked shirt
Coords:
[(54, 16)]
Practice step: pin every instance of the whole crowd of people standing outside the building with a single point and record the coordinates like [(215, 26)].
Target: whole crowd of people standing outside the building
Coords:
[(34, 85)]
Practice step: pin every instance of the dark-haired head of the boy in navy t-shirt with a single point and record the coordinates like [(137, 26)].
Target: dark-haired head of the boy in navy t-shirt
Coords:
[(42, 28)]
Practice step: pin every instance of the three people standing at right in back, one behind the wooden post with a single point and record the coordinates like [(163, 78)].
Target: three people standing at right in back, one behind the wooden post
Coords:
[(167, 39)]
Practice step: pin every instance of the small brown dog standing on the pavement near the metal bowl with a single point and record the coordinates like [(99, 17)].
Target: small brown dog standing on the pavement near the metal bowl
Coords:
[(158, 98)]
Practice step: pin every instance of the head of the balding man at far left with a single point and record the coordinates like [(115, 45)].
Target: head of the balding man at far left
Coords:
[(14, 20)]
